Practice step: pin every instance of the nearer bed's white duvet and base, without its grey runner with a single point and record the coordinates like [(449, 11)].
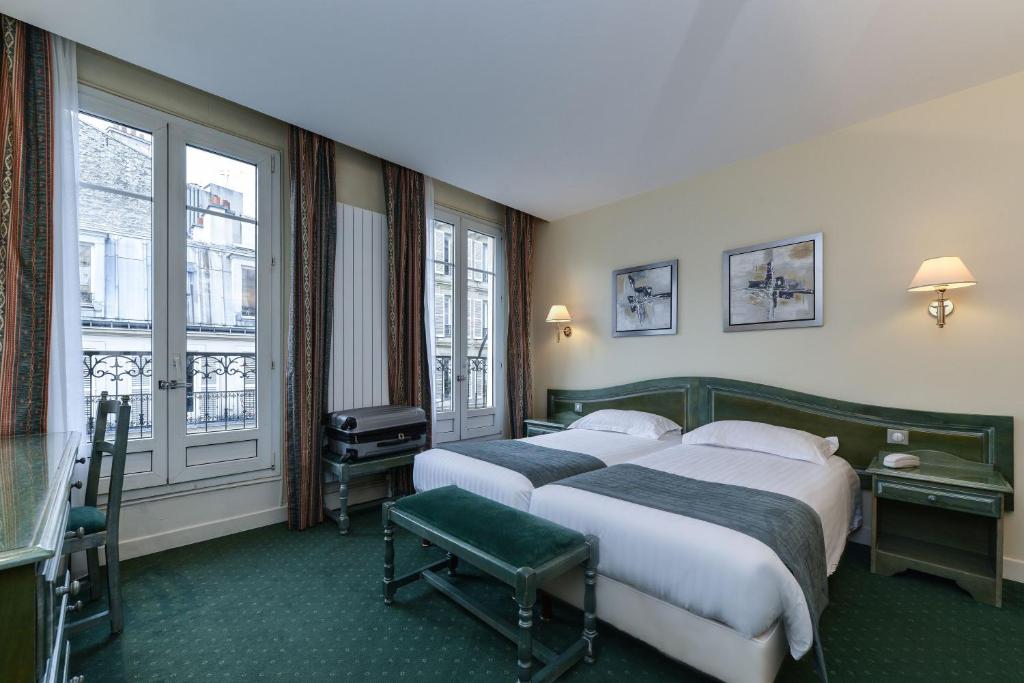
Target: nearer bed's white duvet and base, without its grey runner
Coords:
[(705, 594)]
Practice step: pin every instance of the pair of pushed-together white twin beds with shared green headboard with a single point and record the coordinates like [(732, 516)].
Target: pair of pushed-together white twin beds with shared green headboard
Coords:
[(705, 591)]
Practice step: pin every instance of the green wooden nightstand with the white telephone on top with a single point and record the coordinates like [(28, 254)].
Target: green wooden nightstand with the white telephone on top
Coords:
[(944, 519)]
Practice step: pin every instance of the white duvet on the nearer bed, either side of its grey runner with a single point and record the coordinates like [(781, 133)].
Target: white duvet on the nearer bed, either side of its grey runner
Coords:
[(709, 570)]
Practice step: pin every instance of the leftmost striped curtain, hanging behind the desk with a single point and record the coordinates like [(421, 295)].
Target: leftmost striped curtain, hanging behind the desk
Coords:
[(26, 226)]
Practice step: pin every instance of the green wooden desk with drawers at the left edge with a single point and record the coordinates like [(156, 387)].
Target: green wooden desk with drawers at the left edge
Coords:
[(35, 585)]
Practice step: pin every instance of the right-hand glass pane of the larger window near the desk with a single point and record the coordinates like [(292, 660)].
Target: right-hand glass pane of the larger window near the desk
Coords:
[(222, 292)]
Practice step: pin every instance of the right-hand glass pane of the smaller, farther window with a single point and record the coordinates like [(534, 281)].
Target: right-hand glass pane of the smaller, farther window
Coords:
[(480, 308)]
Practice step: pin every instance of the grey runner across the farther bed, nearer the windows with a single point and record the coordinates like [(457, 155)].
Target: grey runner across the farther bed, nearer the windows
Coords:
[(537, 463)]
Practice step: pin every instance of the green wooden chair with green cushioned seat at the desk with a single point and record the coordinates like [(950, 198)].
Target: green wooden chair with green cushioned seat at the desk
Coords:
[(90, 528)]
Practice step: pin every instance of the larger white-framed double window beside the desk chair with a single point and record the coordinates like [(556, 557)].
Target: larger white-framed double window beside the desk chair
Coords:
[(179, 228)]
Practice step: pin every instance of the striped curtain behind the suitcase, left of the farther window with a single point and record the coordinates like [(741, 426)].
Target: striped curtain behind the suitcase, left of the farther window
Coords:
[(408, 366)]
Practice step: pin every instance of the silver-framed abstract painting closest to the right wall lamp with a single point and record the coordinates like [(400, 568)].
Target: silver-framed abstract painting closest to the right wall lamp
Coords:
[(775, 285)]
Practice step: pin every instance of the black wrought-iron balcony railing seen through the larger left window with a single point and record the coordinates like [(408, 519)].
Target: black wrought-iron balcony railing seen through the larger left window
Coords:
[(208, 408)]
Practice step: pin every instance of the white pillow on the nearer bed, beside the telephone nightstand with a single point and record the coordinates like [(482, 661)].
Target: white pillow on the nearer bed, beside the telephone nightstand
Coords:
[(766, 439)]
